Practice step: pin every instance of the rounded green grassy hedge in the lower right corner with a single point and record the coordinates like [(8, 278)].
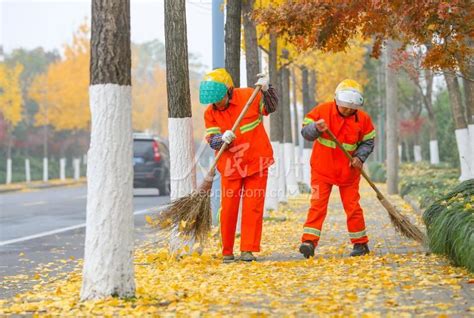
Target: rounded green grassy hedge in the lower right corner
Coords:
[(450, 225)]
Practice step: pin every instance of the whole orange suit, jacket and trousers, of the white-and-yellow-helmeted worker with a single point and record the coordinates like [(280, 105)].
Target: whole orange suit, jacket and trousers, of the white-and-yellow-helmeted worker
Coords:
[(329, 166)]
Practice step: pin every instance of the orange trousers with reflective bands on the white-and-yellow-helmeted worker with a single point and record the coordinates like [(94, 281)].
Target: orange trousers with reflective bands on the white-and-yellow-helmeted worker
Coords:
[(317, 212)]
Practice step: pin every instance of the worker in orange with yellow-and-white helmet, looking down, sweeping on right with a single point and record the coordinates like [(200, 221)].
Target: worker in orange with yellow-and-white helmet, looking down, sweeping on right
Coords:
[(329, 166)]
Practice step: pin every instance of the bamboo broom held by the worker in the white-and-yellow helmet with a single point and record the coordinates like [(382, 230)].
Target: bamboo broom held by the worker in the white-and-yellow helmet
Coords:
[(401, 223)]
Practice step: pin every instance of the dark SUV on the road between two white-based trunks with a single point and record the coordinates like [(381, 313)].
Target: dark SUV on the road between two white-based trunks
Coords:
[(151, 163)]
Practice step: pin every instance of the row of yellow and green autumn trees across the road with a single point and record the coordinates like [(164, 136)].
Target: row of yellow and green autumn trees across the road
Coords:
[(44, 108)]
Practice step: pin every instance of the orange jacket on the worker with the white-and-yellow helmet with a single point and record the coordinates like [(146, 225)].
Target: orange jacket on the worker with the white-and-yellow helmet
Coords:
[(328, 162)]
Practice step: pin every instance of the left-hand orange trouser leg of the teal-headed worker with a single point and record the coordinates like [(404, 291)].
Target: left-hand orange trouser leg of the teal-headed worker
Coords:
[(229, 212)]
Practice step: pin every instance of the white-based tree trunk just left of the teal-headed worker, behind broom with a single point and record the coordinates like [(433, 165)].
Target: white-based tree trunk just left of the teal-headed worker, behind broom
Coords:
[(180, 127)]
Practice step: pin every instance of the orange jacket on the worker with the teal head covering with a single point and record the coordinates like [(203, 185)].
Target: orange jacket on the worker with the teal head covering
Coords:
[(251, 150)]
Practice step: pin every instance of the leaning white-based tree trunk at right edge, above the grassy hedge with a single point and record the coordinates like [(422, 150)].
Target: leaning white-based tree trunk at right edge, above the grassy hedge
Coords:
[(460, 125)]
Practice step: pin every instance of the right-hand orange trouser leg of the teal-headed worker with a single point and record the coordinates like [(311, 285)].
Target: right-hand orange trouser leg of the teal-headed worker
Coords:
[(253, 202)]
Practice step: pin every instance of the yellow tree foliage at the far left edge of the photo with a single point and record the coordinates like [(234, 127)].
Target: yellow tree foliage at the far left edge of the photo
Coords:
[(11, 101)]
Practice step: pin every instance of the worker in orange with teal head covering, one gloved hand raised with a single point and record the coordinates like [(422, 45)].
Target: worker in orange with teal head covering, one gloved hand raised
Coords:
[(244, 164)]
